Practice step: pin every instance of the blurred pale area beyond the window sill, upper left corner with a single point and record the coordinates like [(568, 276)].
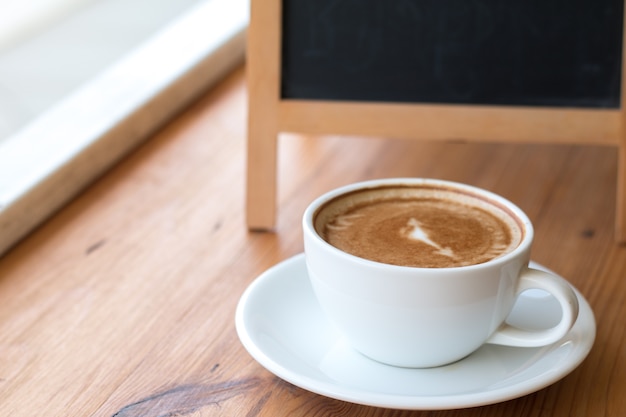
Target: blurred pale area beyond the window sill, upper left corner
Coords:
[(50, 47)]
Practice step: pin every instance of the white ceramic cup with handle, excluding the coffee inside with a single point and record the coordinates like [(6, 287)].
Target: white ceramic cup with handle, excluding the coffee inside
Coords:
[(424, 317)]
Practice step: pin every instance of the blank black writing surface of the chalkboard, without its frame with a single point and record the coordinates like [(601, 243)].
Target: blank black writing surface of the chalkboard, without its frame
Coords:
[(562, 53)]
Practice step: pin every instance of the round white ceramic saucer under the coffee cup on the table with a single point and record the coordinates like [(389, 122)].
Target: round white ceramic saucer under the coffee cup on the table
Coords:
[(282, 326)]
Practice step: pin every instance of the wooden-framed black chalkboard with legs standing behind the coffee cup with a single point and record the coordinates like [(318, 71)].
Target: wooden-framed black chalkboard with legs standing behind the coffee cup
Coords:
[(538, 71)]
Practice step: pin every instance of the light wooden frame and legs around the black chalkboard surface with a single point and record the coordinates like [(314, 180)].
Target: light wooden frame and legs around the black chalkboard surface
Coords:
[(269, 115)]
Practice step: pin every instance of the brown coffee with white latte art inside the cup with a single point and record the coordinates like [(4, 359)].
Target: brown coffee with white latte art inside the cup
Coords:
[(418, 225)]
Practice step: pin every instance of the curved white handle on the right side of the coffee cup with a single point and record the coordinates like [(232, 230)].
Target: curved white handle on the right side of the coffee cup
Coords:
[(509, 335)]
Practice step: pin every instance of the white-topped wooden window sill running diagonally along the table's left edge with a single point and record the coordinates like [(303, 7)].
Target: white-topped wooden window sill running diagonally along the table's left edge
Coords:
[(51, 159)]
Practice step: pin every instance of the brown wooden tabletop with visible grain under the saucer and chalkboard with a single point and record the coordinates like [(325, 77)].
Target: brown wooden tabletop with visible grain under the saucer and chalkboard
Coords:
[(123, 303)]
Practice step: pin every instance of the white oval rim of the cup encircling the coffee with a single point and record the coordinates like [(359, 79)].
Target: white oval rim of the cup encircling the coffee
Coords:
[(520, 215)]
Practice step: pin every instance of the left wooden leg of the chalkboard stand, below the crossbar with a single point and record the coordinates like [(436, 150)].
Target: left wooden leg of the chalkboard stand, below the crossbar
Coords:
[(261, 179)]
